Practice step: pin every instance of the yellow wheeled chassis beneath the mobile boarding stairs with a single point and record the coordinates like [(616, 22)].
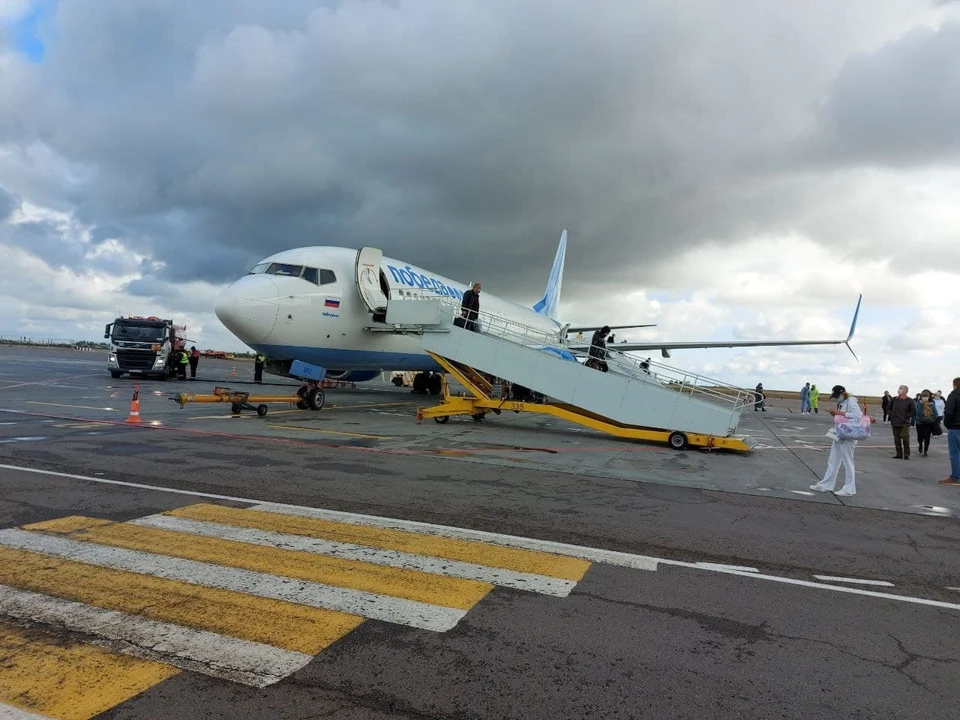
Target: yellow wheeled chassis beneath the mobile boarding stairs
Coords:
[(479, 404)]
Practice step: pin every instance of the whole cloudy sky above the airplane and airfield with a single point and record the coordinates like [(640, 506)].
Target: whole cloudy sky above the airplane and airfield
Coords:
[(727, 170)]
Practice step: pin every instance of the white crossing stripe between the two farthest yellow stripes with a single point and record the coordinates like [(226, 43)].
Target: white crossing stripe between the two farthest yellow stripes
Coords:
[(451, 568)]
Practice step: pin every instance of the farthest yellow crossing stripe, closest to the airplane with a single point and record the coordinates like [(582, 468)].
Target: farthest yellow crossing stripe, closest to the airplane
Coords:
[(531, 561)]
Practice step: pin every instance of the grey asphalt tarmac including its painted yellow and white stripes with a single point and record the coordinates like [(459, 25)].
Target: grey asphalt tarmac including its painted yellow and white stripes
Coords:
[(371, 567)]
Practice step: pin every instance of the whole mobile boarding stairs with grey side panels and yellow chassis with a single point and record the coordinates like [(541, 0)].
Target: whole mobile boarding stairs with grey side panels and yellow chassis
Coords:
[(642, 401)]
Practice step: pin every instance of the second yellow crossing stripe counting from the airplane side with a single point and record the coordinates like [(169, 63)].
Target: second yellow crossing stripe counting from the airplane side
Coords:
[(357, 575)]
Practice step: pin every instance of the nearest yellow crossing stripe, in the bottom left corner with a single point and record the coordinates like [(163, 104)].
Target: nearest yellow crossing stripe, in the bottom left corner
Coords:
[(67, 680)]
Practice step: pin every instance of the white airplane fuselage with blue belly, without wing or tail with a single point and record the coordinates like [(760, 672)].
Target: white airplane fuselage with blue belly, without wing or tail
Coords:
[(294, 318)]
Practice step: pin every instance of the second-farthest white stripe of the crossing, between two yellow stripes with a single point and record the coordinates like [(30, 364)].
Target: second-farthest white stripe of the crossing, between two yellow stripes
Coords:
[(343, 600)]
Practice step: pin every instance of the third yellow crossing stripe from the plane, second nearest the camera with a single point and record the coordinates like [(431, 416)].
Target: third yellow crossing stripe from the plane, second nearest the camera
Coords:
[(284, 625)]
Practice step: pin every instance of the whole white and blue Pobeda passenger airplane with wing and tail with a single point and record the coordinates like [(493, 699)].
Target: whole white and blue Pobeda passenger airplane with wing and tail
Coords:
[(325, 305)]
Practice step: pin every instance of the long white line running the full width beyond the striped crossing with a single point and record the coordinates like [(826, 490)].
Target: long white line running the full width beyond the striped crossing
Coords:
[(622, 559)]
